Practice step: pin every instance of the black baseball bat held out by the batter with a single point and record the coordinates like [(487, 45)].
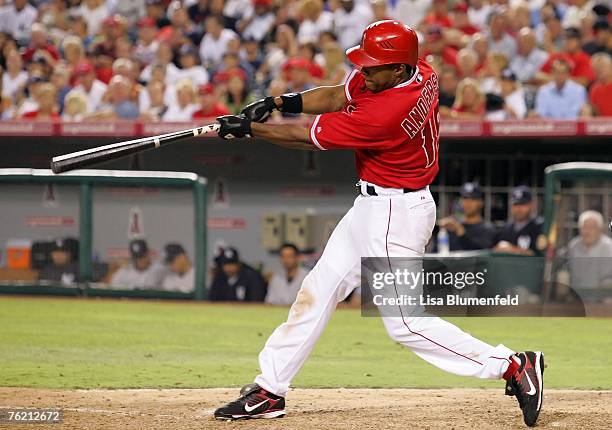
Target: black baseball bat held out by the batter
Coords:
[(75, 160)]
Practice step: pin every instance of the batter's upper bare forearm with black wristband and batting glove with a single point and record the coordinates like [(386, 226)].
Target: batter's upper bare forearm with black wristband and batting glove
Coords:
[(315, 101)]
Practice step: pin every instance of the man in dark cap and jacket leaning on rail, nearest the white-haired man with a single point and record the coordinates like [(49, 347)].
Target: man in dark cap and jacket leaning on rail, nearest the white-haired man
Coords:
[(523, 234)]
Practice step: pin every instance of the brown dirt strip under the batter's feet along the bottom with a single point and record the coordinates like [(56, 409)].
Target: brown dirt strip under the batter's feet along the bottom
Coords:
[(314, 409)]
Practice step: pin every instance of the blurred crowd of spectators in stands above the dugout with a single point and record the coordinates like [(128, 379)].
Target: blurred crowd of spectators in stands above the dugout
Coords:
[(173, 60)]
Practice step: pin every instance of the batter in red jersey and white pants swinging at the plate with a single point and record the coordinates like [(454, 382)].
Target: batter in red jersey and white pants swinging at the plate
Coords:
[(387, 113)]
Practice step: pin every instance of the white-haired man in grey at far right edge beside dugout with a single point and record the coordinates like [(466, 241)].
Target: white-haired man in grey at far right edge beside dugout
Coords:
[(590, 253)]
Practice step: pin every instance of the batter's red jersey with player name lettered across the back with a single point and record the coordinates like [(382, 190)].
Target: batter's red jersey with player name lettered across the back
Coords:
[(394, 133)]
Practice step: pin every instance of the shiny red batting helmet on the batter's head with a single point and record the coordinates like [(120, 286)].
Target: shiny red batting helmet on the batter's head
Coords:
[(386, 42)]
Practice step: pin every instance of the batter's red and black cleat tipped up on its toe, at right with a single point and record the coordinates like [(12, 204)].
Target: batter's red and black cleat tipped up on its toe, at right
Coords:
[(525, 380)]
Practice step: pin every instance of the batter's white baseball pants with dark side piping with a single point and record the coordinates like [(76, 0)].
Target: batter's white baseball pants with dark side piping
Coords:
[(397, 225)]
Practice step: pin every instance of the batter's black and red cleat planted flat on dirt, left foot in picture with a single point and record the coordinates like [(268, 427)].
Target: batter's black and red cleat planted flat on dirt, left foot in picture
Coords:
[(254, 402)]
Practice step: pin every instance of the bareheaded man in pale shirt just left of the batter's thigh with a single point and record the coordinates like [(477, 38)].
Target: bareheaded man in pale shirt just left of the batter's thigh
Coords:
[(284, 286)]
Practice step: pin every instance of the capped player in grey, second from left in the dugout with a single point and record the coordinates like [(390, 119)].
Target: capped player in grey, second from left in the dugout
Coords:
[(141, 272)]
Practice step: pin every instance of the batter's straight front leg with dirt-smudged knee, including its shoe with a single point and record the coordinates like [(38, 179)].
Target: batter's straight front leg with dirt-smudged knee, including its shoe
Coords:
[(336, 273)]
